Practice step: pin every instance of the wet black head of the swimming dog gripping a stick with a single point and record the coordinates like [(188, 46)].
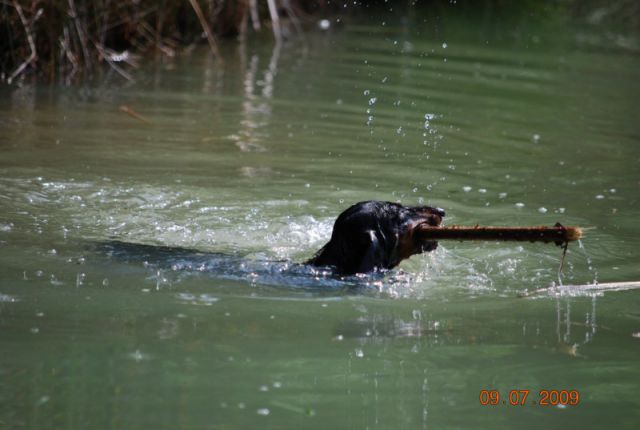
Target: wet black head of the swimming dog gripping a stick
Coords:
[(375, 235)]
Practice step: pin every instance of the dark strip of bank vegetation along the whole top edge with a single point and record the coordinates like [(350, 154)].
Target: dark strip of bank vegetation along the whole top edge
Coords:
[(71, 40)]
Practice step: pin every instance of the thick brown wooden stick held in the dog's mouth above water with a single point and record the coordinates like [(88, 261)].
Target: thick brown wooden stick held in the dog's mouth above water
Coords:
[(557, 234)]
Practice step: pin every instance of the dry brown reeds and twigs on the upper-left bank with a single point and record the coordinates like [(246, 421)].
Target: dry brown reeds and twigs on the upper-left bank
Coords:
[(73, 39)]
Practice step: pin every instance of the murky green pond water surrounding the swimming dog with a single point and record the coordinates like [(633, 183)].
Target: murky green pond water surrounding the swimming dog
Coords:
[(245, 166)]
